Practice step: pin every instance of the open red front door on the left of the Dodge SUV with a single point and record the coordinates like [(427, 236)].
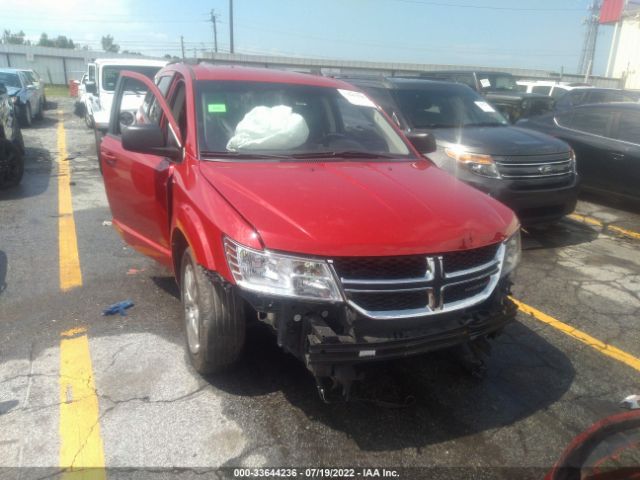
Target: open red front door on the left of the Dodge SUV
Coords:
[(138, 184)]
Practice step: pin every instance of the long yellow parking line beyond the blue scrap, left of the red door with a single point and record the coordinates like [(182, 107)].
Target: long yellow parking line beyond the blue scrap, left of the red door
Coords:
[(70, 274)]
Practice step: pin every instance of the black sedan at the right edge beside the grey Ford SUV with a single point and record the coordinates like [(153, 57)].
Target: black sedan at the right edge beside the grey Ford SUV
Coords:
[(606, 139)]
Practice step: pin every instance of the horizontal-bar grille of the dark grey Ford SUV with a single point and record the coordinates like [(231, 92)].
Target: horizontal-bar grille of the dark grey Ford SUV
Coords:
[(540, 167)]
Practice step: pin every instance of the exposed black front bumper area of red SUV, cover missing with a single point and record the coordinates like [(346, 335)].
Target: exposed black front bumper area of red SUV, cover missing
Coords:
[(333, 339)]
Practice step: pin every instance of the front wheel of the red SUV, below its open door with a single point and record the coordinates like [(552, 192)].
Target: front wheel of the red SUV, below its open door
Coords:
[(213, 318)]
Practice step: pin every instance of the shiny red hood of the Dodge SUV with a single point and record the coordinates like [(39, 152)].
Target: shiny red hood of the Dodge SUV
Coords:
[(359, 208)]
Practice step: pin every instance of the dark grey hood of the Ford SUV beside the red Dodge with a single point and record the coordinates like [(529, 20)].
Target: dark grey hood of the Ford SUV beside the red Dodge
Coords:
[(506, 140)]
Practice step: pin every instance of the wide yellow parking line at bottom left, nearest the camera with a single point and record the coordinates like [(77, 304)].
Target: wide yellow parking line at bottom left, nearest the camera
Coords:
[(81, 449)]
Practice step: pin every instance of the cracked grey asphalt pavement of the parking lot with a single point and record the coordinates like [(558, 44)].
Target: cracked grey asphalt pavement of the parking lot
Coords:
[(155, 414)]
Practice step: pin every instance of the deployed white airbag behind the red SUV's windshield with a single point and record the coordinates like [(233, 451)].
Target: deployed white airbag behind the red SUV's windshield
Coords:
[(269, 128)]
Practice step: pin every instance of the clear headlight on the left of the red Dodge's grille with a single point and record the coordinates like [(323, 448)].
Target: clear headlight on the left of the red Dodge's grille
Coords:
[(278, 274)]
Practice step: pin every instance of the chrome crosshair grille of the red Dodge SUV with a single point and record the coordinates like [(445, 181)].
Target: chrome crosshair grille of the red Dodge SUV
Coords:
[(419, 285)]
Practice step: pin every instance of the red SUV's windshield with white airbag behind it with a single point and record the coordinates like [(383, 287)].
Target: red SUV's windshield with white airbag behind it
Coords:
[(290, 120)]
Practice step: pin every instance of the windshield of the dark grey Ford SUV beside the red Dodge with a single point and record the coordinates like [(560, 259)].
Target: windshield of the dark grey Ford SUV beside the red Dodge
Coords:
[(446, 108)]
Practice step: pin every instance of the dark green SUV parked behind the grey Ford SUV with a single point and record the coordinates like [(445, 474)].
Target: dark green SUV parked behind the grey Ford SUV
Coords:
[(501, 90)]
